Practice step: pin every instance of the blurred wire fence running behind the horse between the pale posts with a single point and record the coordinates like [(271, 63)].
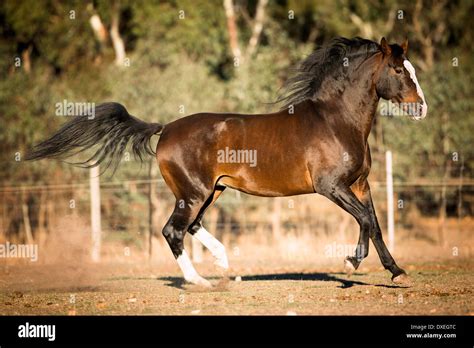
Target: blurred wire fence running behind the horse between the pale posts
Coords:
[(125, 207)]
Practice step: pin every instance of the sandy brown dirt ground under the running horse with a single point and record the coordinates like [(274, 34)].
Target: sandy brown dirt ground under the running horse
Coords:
[(251, 288)]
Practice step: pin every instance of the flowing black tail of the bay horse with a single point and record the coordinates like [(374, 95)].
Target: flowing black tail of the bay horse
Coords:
[(110, 130)]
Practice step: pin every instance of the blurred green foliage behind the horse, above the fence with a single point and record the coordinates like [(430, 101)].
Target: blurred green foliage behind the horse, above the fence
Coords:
[(176, 60)]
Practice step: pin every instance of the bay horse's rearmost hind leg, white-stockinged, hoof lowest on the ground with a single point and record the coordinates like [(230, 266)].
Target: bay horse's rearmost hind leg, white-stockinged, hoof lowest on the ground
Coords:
[(185, 212)]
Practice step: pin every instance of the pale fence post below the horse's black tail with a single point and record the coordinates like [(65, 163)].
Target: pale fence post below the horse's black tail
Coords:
[(95, 212)]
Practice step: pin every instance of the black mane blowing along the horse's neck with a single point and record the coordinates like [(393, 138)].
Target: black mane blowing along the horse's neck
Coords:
[(326, 61)]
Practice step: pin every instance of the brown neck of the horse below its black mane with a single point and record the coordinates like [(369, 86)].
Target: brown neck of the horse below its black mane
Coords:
[(355, 100)]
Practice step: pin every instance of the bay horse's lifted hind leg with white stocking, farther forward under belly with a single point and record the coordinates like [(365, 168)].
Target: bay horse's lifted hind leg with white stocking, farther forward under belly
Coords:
[(216, 248)]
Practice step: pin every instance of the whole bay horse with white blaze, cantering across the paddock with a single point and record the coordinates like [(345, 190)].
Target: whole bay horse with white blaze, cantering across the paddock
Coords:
[(317, 143)]
